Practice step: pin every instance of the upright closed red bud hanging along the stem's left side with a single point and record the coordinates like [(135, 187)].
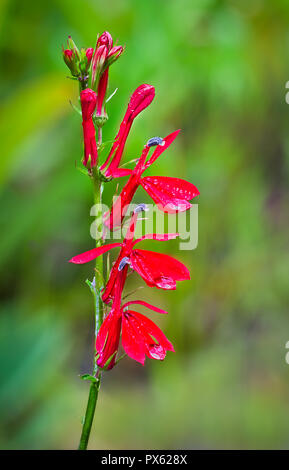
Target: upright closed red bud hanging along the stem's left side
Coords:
[(88, 104)]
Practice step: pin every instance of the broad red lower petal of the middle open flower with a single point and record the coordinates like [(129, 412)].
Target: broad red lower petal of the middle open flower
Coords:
[(158, 269)]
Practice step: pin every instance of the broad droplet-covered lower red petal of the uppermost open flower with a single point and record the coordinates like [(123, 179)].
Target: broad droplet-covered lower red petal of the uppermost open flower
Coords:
[(171, 194)]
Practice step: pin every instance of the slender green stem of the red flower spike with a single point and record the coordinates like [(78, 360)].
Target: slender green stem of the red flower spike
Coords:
[(98, 309)]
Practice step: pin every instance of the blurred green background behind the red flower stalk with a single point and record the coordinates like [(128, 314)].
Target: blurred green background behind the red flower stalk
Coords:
[(220, 69)]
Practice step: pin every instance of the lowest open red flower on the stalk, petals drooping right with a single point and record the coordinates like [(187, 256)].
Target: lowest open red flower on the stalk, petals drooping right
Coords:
[(141, 337)]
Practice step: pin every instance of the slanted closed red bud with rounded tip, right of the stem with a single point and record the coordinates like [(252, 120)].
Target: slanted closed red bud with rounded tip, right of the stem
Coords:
[(139, 100)]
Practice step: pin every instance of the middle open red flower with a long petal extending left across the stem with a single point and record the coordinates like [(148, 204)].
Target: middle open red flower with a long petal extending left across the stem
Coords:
[(156, 269)]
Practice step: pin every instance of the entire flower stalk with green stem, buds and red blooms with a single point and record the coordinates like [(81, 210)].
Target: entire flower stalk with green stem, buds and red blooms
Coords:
[(140, 337)]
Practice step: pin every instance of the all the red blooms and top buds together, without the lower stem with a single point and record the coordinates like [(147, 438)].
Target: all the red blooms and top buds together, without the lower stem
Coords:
[(140, 337)]
